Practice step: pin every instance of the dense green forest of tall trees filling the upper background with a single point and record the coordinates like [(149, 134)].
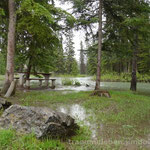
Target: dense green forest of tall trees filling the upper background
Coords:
[(120, 45)]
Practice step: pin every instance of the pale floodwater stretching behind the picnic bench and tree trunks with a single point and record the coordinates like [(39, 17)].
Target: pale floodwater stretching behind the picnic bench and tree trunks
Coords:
[(141, 87)]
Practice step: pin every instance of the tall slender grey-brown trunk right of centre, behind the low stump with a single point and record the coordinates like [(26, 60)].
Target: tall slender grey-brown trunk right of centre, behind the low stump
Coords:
[(97, 86)]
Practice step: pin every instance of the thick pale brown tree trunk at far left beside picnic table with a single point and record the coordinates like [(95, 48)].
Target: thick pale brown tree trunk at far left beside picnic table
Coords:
[(9, 76)]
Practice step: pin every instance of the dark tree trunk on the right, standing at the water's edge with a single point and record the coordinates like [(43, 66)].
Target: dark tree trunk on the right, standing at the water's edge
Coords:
[(134, 66)]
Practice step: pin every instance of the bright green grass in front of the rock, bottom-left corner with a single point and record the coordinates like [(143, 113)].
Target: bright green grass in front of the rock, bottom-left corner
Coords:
[(10, 140)]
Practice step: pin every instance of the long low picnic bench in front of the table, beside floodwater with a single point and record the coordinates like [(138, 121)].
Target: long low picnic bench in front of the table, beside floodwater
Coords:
[(40, 82)]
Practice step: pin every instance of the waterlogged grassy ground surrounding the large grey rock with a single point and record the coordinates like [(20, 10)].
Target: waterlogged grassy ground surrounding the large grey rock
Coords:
[(105, 123)]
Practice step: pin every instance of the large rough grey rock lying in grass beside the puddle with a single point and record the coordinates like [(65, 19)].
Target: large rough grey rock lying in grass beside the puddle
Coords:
[(43, 121)]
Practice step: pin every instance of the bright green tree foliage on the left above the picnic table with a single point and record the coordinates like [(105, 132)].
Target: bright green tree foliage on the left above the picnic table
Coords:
[(38, 23)]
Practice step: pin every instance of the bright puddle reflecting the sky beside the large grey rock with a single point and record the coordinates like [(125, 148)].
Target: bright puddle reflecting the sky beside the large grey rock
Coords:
[(81, 116)]
